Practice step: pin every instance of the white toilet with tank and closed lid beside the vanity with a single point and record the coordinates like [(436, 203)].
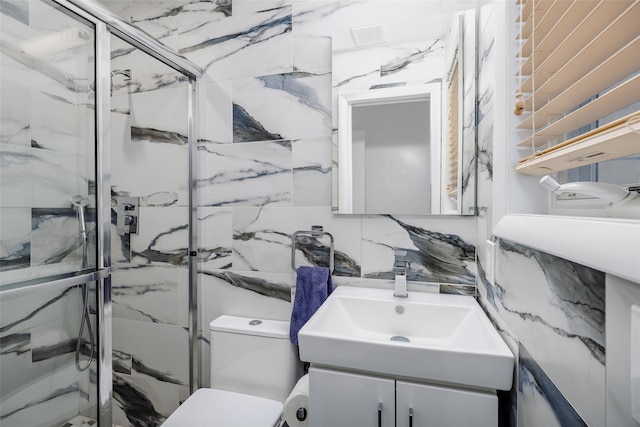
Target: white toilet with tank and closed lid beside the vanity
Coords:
[(254, 367)]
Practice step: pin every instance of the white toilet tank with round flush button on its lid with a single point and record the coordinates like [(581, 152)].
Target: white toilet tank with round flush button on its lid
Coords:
[(253, 356)]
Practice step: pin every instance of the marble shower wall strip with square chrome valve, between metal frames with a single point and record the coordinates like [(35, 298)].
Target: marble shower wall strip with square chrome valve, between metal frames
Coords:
[(149, 160)]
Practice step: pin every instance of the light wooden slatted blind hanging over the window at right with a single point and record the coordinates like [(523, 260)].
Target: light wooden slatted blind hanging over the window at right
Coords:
[(579, 72)]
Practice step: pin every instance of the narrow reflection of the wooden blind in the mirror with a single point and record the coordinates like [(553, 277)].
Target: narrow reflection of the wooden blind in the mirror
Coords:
[(452, 133)]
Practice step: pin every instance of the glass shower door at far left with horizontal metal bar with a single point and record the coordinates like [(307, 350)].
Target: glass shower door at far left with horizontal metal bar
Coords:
[(48, 250)]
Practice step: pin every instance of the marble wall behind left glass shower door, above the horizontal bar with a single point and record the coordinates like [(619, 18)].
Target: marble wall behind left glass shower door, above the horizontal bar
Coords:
[(46, 119)]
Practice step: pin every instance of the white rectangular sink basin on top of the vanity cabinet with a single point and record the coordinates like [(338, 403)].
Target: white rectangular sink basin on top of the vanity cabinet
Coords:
[(444, 338)]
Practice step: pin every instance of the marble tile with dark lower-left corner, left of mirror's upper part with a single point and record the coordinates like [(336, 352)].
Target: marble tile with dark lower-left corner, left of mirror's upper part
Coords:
[(259, 101)]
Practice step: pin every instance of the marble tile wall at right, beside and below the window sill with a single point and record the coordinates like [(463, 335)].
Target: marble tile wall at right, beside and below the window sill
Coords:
[(551, 312)]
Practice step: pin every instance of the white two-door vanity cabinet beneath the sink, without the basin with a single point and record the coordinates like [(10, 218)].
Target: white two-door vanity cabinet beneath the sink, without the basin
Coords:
[(345, 399)]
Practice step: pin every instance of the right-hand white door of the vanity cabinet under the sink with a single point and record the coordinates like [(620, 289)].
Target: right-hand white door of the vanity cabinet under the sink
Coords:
[(420, 405)]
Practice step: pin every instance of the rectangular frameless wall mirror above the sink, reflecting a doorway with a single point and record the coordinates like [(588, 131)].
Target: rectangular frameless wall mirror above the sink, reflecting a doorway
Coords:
[(404, 100)]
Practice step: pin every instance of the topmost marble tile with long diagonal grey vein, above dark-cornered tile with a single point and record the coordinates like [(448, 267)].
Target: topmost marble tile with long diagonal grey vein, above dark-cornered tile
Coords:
[(241, 46)]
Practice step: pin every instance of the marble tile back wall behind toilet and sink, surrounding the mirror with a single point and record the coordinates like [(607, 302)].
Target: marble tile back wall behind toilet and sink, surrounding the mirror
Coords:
[(265, 166)]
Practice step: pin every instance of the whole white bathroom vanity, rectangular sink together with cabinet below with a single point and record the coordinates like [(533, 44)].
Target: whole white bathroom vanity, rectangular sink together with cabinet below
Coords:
[(427, 359)]
